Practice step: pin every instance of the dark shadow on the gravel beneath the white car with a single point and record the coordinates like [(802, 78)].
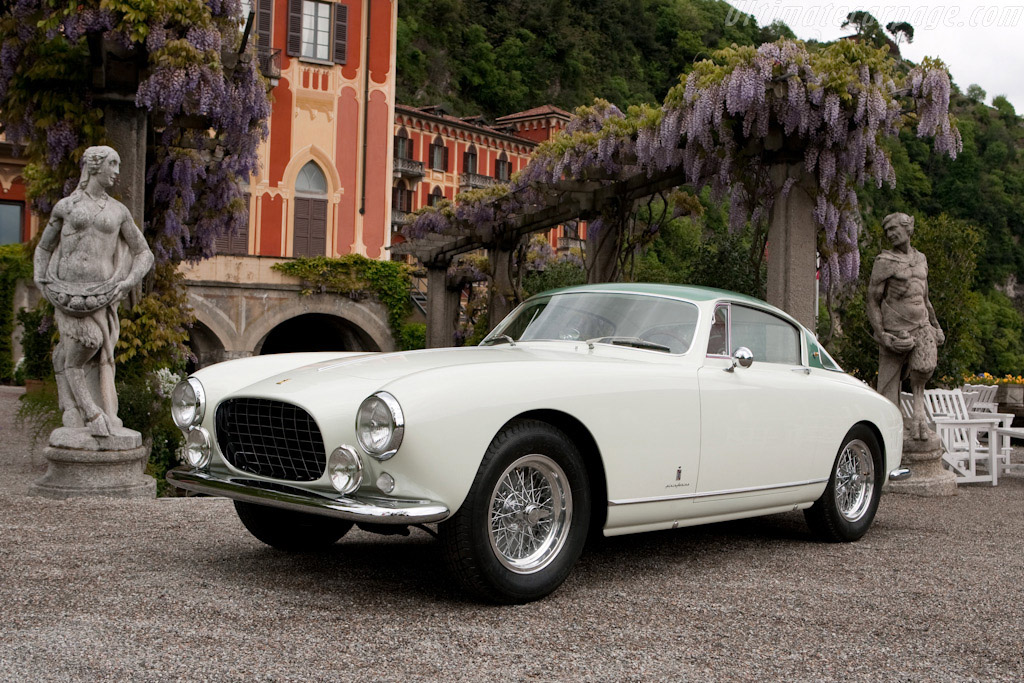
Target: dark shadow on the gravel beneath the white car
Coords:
[(411, 569)]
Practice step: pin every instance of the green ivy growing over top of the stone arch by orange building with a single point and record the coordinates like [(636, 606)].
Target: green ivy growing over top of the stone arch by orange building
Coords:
[(357, 277)]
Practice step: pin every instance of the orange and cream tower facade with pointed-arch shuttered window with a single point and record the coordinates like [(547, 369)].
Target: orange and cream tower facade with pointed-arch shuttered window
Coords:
[(324, 185)]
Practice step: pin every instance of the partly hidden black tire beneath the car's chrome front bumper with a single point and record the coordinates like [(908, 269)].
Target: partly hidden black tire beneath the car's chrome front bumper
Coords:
[(290, 531)]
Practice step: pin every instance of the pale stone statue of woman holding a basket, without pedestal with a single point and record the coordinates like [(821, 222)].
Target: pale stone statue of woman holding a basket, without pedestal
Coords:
[(91, 257)]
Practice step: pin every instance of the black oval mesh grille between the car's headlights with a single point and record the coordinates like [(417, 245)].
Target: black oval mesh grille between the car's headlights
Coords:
[(271, 439)]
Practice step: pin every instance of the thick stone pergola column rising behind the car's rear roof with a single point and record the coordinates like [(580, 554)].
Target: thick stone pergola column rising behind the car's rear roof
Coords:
[(793, 248)]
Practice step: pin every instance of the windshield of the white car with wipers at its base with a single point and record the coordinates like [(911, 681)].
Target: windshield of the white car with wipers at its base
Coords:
[(652, 323)]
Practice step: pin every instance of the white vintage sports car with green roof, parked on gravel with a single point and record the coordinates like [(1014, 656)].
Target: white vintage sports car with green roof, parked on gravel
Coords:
[(611, 409)]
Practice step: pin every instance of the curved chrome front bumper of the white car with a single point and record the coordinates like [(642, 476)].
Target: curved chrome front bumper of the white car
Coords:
[(353, 507)]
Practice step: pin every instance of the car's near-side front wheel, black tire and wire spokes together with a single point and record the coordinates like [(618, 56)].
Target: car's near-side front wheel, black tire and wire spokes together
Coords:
[(527, 460)]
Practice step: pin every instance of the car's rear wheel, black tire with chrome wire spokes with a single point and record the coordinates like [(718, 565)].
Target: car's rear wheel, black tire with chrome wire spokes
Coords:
[(847, 507)]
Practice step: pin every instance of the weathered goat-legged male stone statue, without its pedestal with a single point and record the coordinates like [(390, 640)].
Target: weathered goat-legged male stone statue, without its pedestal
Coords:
[(904, 320)]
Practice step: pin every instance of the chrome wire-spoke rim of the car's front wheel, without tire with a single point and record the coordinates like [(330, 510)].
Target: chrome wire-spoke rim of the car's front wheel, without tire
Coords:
[(531, 514)]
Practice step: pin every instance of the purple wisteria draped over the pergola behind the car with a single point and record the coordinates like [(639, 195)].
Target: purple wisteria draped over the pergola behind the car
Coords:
[(734, 118)]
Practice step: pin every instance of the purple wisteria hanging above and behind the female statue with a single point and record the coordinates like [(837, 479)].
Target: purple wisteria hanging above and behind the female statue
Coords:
[(210, 118)]
